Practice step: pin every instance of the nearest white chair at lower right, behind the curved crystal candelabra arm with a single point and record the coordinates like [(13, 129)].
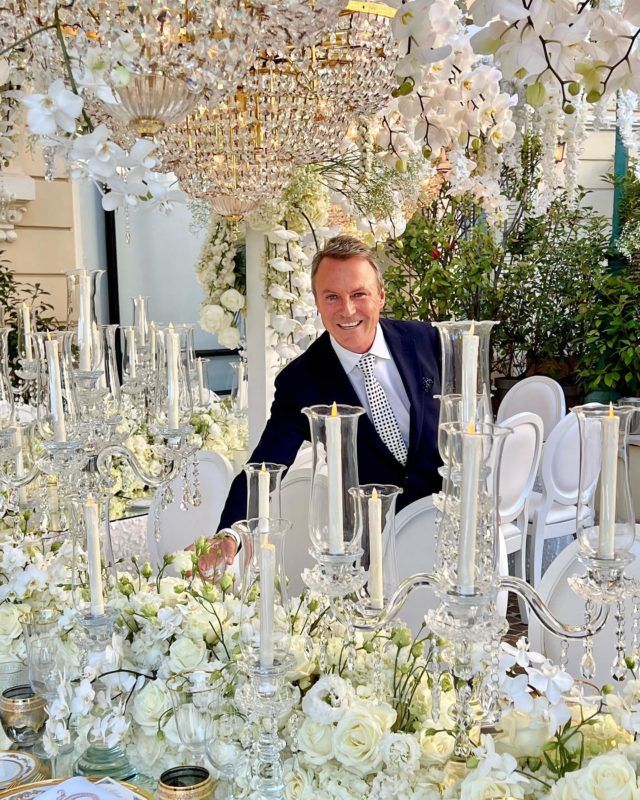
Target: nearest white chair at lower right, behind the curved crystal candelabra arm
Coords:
[(569, 608)]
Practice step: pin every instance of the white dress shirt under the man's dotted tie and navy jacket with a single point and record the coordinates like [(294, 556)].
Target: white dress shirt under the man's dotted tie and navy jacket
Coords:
[(386, 373)]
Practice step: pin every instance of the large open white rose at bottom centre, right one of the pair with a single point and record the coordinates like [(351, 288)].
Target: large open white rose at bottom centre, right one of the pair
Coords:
[(357, 739)]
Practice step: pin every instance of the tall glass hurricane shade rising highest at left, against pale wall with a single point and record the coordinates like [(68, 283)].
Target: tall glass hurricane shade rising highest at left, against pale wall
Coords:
[(82, 319)]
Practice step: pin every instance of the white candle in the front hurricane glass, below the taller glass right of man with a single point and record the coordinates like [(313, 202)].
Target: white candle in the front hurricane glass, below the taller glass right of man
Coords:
[(471, 452)]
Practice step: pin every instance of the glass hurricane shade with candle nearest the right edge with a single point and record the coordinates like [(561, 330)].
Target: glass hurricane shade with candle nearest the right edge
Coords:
[(605, 514)]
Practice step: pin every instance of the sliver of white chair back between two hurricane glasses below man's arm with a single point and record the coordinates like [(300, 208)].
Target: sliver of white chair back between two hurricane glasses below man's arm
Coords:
[(295, 497)]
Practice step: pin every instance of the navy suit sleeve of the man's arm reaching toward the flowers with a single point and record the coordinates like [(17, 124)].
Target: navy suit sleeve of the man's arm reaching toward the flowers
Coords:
[(286, 429)]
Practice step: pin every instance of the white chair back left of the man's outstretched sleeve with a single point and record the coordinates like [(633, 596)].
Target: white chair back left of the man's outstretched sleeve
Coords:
[(178, 528)]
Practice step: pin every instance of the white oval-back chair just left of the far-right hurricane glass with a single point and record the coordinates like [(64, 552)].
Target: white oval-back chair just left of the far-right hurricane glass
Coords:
[(554, 510)]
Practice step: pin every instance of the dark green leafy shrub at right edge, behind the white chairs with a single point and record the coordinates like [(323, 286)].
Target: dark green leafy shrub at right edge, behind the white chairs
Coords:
[(610, 343)]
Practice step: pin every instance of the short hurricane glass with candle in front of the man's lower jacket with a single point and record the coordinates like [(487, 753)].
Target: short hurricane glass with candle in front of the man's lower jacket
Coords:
[(375, 518)]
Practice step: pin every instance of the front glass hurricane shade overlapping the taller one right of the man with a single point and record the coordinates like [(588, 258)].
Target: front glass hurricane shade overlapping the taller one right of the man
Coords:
[(467, 540)]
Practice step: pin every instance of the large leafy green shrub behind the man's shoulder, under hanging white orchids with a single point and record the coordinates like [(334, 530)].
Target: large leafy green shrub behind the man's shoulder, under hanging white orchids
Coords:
[(533, 278)]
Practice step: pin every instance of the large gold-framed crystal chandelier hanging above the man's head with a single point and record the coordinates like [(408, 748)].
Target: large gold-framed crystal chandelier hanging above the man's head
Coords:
[(294, 107)]
